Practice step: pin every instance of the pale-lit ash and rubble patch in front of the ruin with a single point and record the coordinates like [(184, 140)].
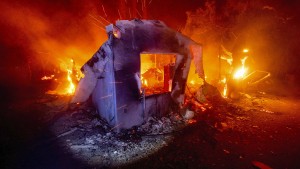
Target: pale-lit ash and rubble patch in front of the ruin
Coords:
[(82, 132)]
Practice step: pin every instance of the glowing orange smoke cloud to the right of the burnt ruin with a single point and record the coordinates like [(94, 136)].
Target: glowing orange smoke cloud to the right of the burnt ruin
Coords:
[(268, 29)]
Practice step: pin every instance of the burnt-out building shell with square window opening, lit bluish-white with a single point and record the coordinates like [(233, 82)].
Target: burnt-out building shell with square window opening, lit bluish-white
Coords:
[(112, 77)]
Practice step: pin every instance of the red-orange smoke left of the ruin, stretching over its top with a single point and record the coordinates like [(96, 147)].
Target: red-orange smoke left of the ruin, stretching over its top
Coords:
[(39, 37)]
